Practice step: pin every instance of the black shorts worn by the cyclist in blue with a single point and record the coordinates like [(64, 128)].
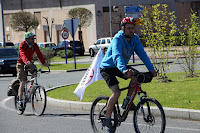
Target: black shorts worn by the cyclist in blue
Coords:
[(110, 74)]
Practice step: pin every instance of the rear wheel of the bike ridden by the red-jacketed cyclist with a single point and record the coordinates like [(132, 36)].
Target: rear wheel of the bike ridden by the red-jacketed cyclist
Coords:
[(16, 101)]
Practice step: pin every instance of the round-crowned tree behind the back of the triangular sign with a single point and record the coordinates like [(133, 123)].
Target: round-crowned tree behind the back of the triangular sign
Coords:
[(85, 17)]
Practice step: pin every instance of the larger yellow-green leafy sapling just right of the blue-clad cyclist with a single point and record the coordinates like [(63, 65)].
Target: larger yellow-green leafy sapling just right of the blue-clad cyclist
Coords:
[(154, 28)]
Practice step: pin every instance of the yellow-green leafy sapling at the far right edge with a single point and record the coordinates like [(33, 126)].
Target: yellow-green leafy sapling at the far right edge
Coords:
[(189, 39)]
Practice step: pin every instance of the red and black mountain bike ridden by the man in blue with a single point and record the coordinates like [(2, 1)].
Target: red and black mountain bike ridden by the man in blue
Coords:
[(148, 115)]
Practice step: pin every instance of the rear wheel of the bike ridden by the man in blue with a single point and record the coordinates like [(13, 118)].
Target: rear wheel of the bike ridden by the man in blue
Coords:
[(98, 114)]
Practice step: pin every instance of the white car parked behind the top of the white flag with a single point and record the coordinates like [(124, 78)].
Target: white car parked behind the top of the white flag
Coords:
[(102, 43)]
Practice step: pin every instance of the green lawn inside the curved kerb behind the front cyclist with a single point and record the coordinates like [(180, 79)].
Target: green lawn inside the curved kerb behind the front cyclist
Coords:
[(181, 93)]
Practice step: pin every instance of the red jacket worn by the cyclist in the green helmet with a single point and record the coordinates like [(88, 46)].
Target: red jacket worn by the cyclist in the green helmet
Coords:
[(26, 53)]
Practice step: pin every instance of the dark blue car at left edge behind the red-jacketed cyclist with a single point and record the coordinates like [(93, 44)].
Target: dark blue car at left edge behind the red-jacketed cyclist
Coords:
[(8, 61)]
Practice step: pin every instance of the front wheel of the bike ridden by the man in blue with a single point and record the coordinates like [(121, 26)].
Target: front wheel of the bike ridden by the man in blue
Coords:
[(149, 117)]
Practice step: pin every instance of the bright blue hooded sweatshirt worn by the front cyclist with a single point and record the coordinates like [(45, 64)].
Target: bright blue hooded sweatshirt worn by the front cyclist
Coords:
[(120, 51)]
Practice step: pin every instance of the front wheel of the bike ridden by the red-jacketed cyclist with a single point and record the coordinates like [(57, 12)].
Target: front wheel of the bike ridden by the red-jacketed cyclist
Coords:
[(38, 100)]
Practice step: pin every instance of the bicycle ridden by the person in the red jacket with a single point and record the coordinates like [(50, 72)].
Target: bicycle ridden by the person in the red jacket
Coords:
[(37, 95)]
